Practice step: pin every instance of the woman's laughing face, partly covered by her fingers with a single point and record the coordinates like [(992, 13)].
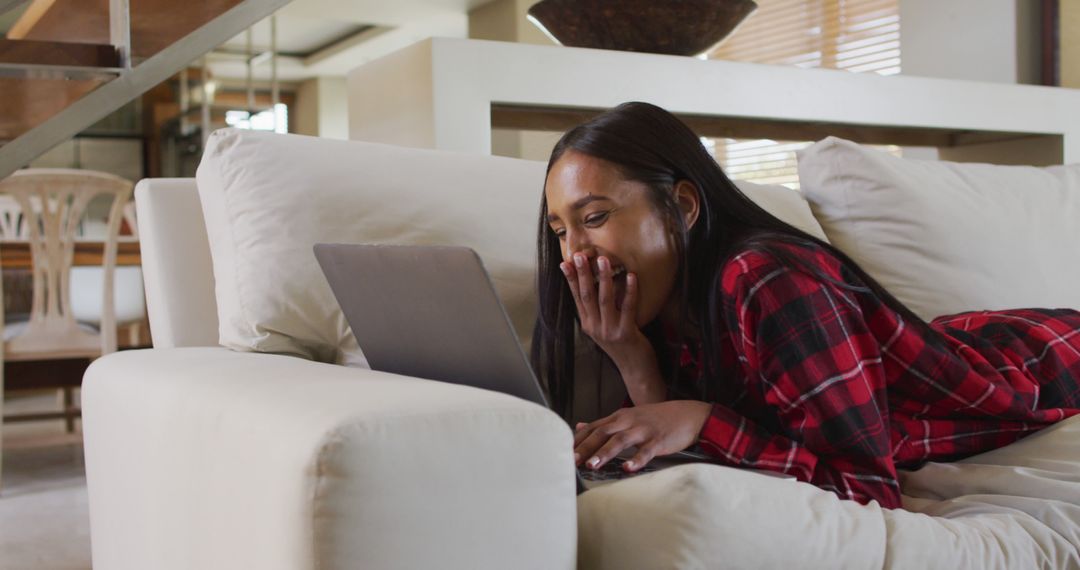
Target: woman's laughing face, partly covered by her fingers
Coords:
[(596, 212)]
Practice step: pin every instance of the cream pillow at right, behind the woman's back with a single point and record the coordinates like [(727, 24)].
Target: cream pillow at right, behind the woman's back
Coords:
[(947, 238)]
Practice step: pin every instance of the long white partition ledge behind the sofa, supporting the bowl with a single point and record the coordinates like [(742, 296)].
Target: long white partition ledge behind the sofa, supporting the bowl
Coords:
[(444, 98)]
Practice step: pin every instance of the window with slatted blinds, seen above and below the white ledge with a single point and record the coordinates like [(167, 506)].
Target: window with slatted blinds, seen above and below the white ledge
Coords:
[(858, 36)]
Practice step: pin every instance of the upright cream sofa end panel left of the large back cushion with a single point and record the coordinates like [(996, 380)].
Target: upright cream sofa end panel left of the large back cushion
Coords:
[(177, 264)]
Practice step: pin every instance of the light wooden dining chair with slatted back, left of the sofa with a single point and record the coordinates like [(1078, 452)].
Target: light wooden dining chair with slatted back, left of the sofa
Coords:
[(52, 203)]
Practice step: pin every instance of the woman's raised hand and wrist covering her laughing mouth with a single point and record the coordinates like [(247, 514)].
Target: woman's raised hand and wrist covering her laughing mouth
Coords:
[(615, 330)]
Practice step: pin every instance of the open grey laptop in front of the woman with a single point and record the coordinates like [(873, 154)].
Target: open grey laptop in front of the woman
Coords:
[(433, 313)]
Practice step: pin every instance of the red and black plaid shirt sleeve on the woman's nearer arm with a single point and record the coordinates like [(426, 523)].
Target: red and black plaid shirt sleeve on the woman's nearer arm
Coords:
[(814, 364)]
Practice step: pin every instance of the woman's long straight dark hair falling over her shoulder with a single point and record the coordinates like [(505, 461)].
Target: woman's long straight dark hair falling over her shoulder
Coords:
[(652, 146)]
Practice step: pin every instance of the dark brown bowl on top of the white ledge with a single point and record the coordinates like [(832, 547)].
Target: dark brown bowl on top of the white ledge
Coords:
[(677, 28)]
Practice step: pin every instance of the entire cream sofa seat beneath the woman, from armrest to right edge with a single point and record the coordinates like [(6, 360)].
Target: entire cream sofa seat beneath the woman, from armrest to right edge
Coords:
[(1011, 508)]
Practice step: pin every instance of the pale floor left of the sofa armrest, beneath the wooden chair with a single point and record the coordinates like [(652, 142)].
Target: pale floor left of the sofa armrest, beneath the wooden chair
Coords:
[(45, 523)]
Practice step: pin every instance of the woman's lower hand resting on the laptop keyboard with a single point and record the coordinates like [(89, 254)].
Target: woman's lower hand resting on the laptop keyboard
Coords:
[(655, 429)]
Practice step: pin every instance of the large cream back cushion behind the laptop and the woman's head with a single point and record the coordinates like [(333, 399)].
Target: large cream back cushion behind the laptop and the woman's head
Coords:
[(267, 199)]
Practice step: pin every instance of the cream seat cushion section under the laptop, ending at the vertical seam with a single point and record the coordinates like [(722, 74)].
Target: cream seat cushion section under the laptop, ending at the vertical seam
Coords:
[(712, 517)]
